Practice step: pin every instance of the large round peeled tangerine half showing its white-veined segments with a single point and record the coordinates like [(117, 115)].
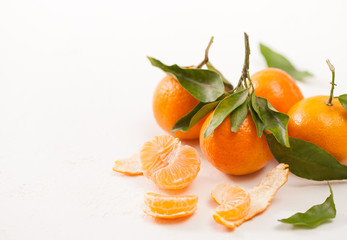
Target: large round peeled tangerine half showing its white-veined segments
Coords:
[(169, 164)]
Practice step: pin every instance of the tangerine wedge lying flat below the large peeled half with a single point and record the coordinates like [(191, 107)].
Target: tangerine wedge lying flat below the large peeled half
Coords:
[(167, 206)]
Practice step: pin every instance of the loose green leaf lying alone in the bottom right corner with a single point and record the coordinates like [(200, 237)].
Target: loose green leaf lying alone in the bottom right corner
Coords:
[(316, 215)]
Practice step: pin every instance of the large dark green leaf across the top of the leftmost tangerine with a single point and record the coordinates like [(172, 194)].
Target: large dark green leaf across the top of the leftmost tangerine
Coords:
[(204, 85)]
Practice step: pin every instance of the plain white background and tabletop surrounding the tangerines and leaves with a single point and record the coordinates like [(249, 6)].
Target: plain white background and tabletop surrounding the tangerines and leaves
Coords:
[(75, 95)]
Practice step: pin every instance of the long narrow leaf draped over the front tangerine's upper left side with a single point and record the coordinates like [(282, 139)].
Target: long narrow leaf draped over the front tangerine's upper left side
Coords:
[(224, 108)]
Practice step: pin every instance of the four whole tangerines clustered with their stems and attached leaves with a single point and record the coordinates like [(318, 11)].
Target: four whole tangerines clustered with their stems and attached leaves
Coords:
[(232, 123)]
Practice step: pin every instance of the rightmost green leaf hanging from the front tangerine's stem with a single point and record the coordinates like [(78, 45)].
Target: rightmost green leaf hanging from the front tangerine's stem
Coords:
[(274, 121)]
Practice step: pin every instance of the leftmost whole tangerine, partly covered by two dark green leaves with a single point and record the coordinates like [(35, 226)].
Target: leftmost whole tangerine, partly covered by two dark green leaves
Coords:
[(171, 102)]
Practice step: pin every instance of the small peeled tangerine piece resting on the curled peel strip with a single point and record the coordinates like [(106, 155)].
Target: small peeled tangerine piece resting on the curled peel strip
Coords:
[(235, 203)]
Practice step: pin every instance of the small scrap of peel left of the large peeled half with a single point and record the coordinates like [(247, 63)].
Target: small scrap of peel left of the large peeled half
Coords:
[(129, 166)]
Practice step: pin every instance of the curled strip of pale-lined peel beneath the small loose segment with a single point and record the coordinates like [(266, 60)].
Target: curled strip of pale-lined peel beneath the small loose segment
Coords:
[(261, 195)]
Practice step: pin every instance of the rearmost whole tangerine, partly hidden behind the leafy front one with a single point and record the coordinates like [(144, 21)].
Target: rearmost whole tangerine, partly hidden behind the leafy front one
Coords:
[(277, 87)]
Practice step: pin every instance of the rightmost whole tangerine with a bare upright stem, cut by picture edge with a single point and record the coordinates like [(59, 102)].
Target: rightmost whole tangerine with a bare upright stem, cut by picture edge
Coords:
[(326, 126)]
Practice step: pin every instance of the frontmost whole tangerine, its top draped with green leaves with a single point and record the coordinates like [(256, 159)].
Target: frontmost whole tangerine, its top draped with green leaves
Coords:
[(237, 153)]
